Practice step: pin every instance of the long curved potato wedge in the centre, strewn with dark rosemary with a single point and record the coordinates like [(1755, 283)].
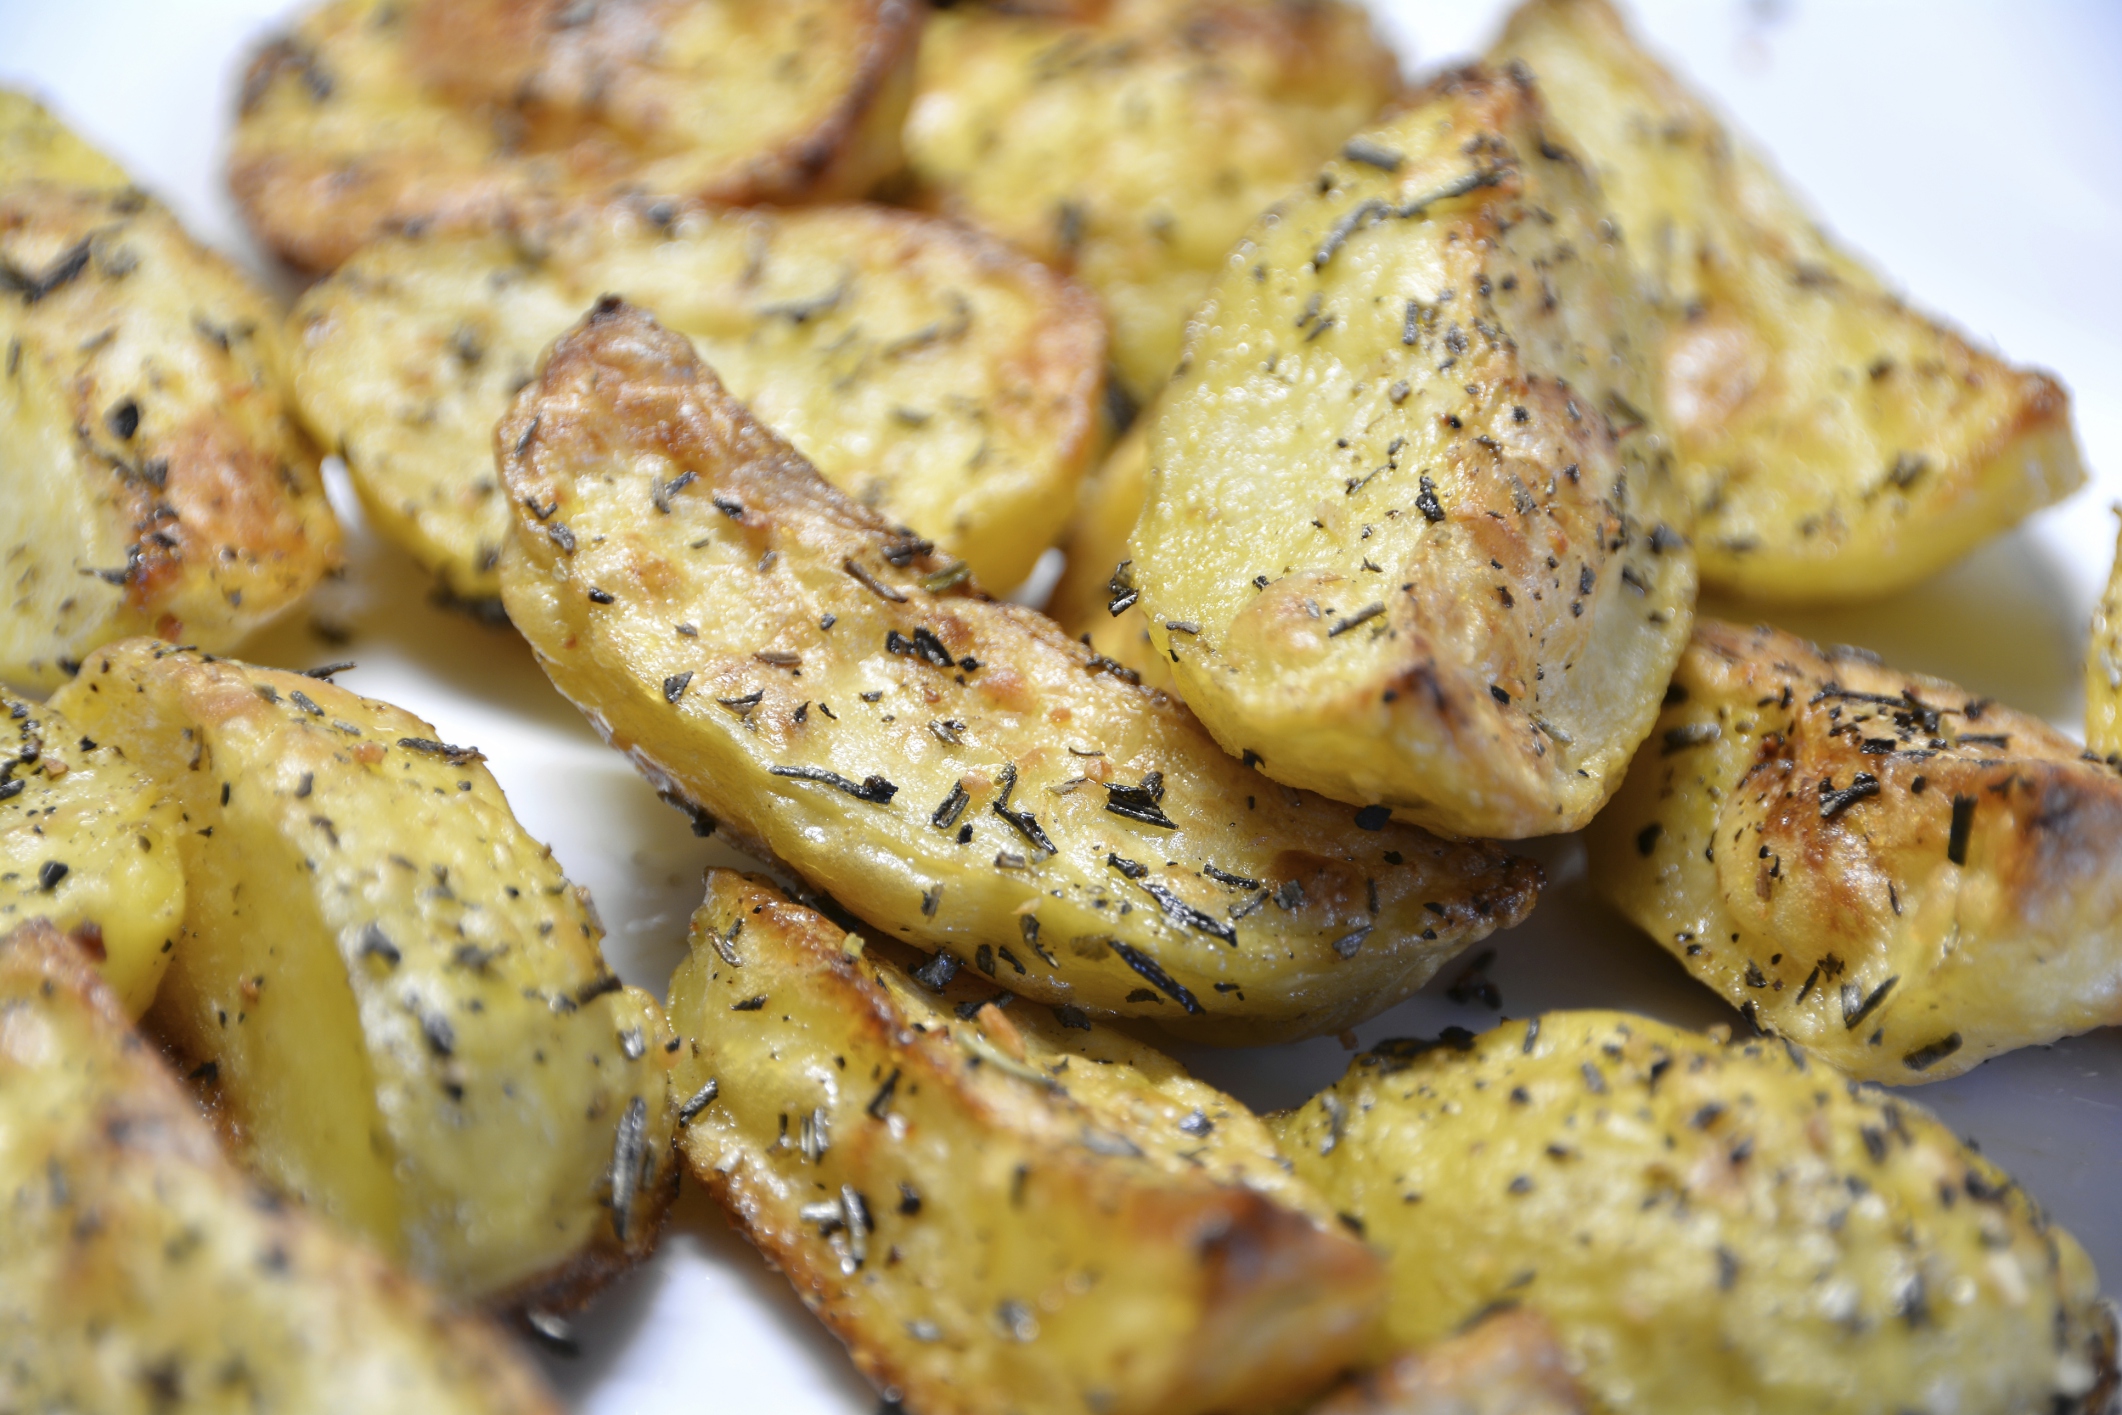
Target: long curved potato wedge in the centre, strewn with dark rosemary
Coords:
[(950, 769)]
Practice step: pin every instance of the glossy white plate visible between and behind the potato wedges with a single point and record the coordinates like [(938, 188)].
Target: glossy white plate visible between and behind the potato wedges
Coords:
[(1975, 152)]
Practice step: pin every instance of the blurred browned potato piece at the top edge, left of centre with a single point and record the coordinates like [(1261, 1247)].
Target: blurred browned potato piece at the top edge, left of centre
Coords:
[(449, 116)]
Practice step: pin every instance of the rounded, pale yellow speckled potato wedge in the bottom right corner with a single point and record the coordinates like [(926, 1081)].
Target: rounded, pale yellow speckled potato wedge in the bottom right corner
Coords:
[(1709, 1227)]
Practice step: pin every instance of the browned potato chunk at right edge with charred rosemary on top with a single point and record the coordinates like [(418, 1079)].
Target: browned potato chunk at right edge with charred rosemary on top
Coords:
[(1896, 875)]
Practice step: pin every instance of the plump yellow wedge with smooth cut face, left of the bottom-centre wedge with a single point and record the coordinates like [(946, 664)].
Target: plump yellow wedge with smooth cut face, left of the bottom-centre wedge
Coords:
[(387, 988)]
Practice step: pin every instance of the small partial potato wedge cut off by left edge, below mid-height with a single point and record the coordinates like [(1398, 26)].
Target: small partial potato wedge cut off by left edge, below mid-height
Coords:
[(88, 843)]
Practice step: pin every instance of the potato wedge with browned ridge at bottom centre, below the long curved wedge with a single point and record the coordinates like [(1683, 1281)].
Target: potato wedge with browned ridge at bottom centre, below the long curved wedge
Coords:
[(998, 1208)]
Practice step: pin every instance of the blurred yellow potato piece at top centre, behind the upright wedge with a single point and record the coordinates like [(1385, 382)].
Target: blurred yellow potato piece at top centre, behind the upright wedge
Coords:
[(1132, 143)]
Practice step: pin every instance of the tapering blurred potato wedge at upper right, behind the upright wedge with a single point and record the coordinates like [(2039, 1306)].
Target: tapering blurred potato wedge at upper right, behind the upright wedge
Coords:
[(1837, 444)]
